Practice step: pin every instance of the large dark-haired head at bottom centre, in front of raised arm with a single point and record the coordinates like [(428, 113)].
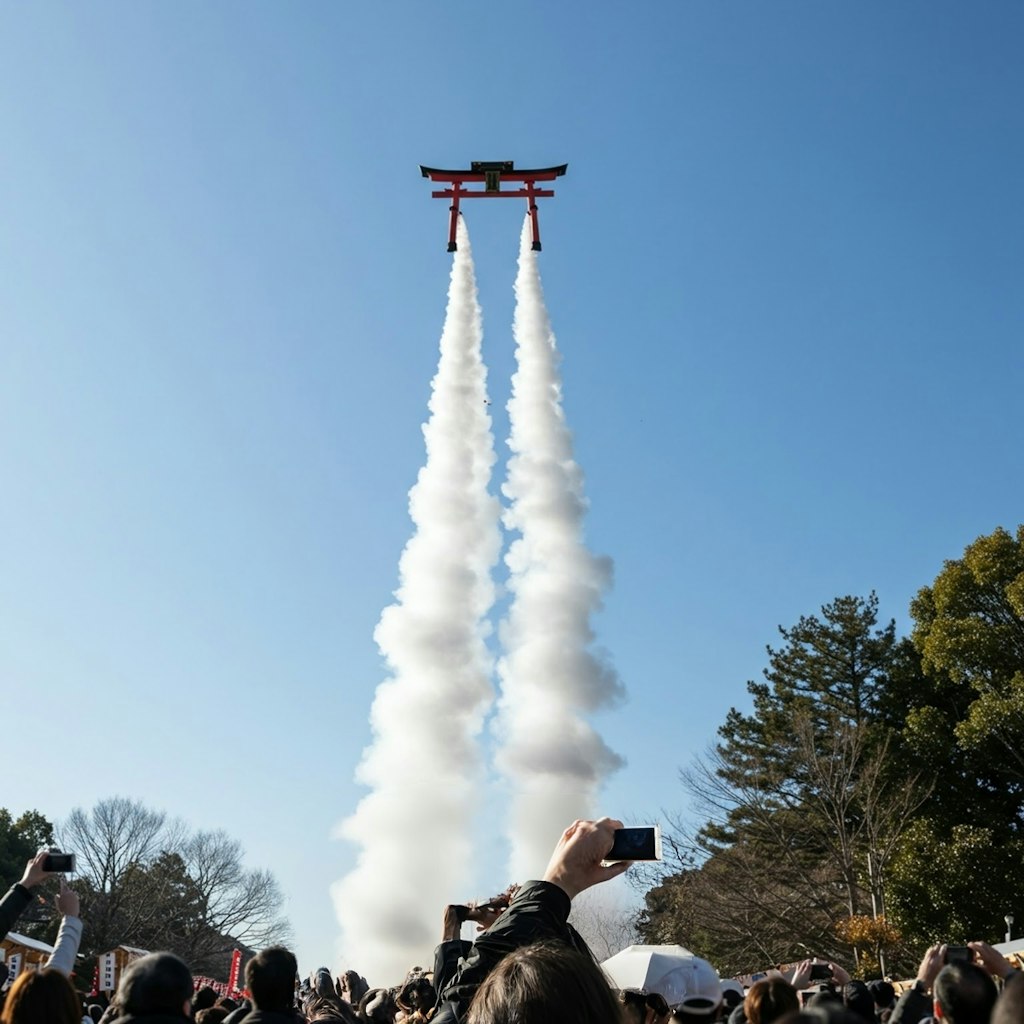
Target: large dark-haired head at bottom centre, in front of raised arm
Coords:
[(544, 983)]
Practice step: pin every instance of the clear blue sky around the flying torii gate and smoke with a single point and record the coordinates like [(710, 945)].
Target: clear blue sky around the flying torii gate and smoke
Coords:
[(785, 272)]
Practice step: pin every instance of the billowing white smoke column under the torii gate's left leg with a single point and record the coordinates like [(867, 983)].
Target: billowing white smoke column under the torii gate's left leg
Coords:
[(414, 829)]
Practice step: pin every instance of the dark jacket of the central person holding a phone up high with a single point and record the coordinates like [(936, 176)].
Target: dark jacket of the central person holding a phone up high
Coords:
[(539, 911)]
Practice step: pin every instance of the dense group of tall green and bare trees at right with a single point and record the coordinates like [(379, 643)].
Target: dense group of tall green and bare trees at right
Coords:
[(871, 800)]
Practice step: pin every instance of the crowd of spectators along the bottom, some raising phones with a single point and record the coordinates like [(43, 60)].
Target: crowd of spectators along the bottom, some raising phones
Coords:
[(528, 966)]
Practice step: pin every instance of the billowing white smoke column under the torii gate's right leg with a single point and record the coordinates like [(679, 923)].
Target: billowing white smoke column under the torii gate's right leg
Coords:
[(552, 758)]
